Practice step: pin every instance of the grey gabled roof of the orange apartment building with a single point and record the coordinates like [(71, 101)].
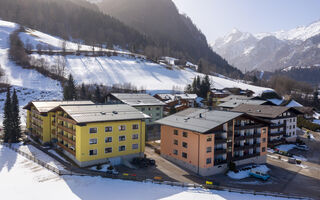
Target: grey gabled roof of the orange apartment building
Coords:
[(199, 120)]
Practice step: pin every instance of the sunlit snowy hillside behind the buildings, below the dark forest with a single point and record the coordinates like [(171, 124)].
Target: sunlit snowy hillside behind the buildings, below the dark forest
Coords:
[(124, 69)]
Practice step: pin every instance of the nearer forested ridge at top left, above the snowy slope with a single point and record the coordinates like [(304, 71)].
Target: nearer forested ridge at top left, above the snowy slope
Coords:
[(69, 20)]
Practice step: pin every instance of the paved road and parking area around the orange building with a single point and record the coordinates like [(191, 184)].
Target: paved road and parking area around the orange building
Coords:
[(291, 179)]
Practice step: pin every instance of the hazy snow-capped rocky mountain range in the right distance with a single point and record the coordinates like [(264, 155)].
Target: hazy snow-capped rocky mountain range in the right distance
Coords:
[(271, 51)]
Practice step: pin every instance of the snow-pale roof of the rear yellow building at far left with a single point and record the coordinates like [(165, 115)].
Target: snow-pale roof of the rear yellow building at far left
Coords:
[(46, 106)]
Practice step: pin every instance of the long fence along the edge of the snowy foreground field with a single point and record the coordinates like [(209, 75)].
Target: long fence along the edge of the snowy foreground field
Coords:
[(156, 180)]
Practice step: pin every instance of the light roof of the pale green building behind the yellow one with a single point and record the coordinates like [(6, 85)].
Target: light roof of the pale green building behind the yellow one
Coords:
[(138, 99)]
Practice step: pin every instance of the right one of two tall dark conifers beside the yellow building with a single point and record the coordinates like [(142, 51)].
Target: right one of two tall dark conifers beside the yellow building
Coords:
[(16, 129)]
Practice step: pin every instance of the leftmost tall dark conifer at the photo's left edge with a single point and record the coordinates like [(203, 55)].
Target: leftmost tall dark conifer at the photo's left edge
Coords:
[(7, 118)]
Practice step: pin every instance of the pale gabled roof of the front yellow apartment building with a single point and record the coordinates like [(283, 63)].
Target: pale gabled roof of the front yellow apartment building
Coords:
[(102, 113)]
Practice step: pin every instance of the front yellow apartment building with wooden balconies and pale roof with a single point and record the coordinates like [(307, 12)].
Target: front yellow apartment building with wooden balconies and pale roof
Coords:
[(96, 134)]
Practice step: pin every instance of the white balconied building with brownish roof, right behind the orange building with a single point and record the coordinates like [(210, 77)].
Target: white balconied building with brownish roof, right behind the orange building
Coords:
[(283, 120)]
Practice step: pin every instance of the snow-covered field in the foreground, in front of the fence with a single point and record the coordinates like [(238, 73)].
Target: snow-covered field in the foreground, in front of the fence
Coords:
[(23, 179)]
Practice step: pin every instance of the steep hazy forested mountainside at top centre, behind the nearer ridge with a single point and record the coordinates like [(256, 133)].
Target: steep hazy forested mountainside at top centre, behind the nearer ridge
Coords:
[(175, 34)]
